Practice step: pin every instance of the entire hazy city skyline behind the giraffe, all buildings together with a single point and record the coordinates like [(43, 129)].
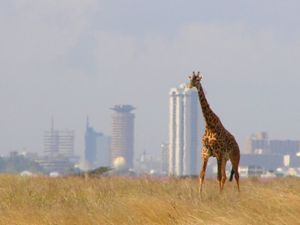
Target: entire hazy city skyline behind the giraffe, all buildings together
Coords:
[(180, 155)]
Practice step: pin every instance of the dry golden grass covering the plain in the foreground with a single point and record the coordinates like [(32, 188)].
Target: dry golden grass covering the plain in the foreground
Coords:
[(142, 201)]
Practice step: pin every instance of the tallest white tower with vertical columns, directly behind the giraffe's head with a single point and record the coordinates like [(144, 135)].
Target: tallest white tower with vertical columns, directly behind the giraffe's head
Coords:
[(184, 131)]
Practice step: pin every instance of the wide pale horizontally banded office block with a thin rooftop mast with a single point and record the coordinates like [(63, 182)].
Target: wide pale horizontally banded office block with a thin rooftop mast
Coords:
[(59, 142)]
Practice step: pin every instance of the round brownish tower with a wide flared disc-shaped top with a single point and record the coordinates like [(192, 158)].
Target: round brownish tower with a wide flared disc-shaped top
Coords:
[(122, 140)]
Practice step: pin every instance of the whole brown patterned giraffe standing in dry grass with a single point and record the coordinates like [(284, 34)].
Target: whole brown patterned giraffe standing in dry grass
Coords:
[(216, 141)]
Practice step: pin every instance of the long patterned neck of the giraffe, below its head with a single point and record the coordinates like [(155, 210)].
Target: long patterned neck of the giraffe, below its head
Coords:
[(211, 119)]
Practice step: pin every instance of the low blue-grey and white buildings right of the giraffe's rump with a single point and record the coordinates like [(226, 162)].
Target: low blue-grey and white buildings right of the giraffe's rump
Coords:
[(264, 156)]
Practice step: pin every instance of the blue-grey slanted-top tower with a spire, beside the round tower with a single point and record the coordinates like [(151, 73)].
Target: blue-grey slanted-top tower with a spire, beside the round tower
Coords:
[(97, 148)]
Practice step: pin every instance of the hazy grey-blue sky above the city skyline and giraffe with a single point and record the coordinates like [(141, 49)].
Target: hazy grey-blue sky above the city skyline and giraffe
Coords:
[(72, 58)]
